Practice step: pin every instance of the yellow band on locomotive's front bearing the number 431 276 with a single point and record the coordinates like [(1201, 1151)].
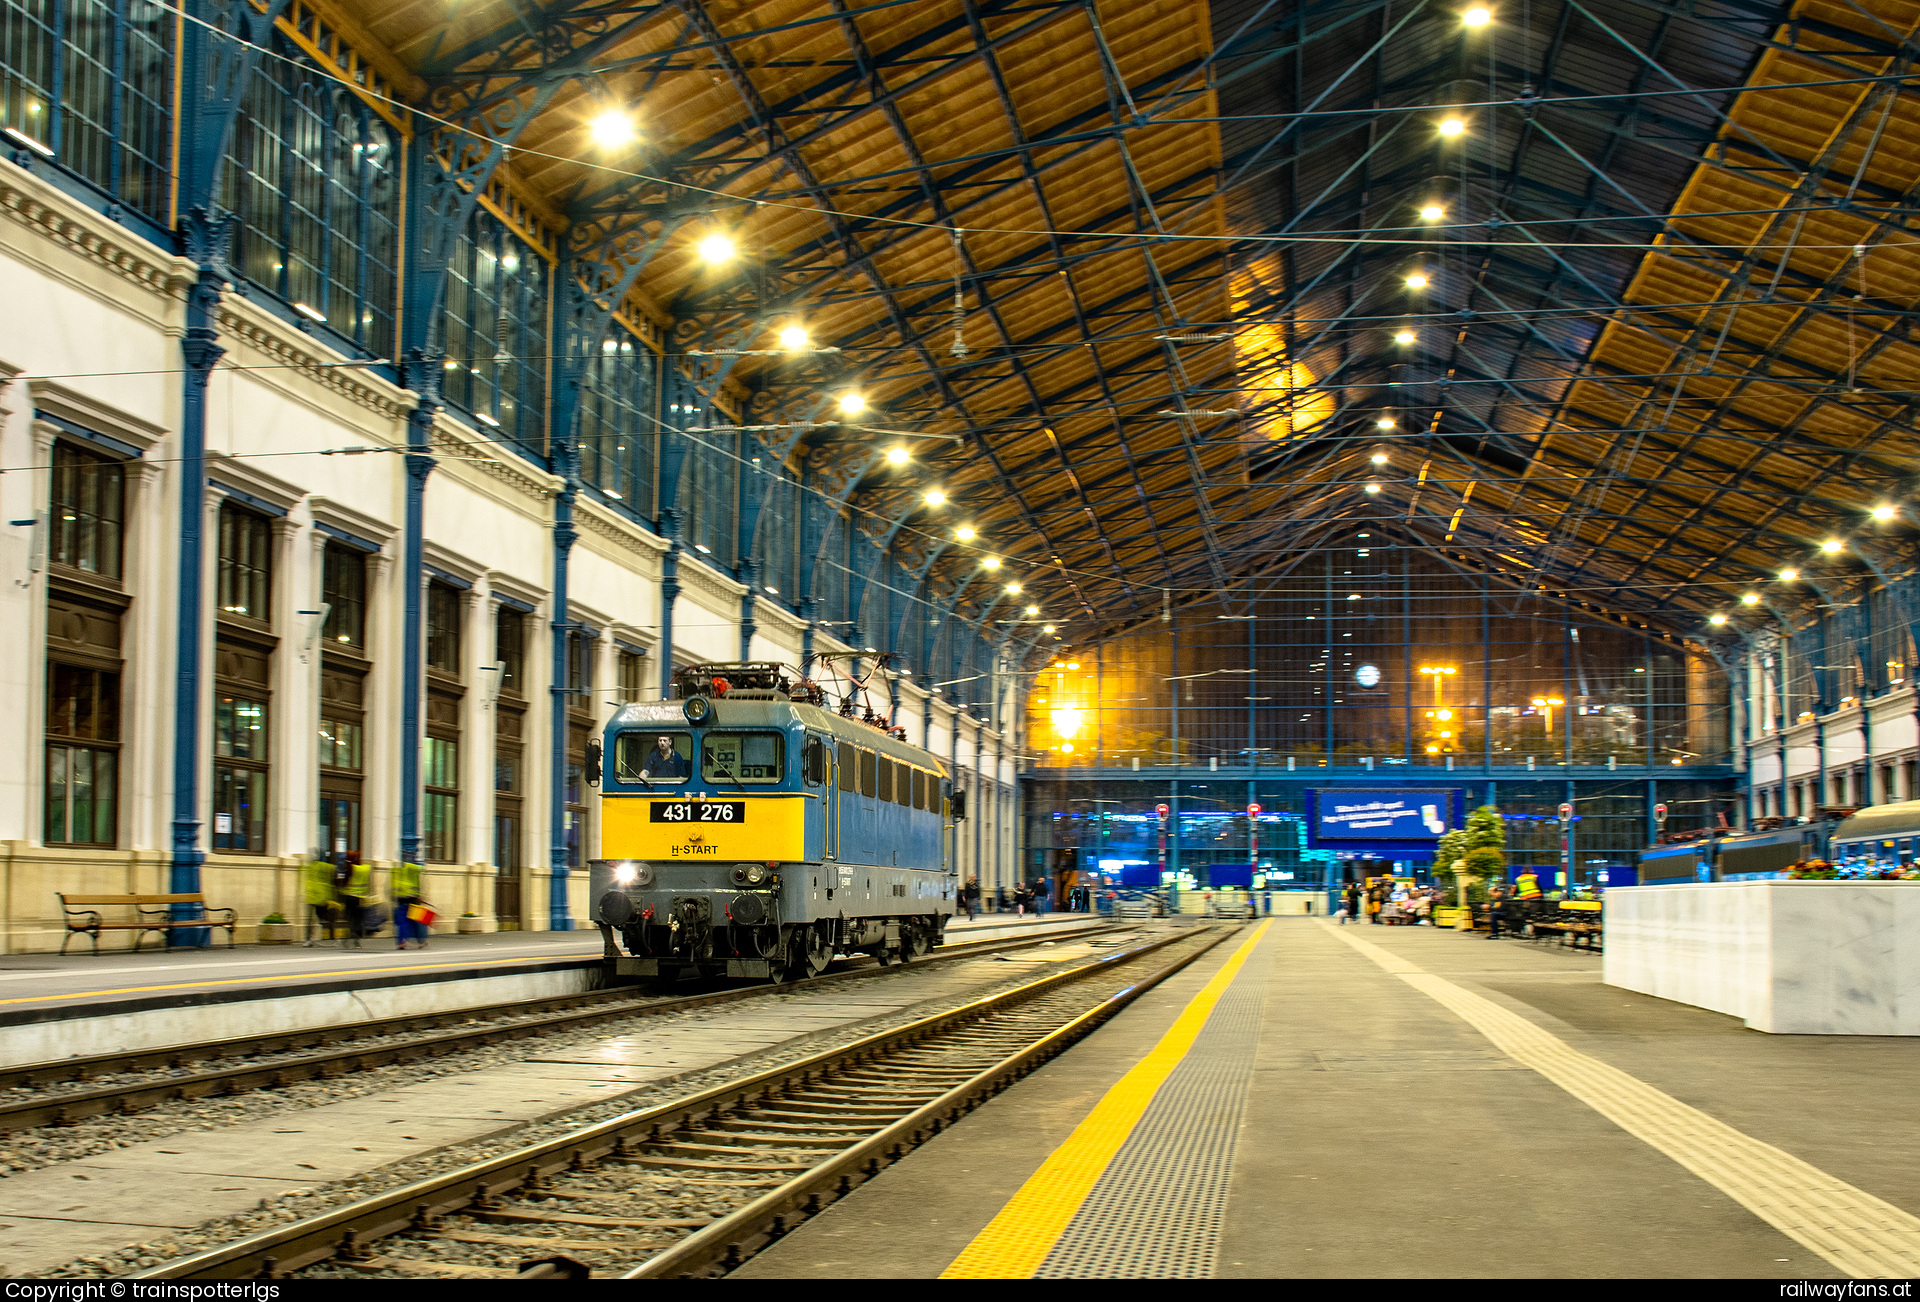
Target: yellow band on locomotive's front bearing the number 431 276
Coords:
[(717, 827)]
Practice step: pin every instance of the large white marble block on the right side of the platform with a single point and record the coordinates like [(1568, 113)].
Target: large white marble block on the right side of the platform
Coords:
[(1788, 957)]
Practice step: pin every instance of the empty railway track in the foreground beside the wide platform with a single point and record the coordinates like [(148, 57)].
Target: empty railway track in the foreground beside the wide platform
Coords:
[(696, 1186)]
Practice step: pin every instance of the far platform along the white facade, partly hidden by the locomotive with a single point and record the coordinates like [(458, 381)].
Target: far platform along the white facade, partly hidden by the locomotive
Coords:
[(80, 1005)]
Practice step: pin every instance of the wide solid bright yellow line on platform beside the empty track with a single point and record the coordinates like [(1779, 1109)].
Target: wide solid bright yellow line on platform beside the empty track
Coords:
[(1019, 1240)]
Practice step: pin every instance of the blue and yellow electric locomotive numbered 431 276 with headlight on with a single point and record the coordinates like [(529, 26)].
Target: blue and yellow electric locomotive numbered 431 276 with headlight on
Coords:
[(752, 832)]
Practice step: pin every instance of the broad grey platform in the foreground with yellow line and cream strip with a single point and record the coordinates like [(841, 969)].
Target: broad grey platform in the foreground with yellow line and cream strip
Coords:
[(1362, 1101)]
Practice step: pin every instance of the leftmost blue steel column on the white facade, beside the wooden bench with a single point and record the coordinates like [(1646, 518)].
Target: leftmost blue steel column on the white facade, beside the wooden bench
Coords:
[(206, 239)]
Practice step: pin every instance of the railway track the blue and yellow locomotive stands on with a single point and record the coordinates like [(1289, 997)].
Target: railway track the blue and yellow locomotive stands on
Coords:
[(283, 1059)]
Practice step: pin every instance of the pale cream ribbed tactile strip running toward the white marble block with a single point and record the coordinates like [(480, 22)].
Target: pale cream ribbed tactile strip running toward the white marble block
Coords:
[(1854, 1230)]
